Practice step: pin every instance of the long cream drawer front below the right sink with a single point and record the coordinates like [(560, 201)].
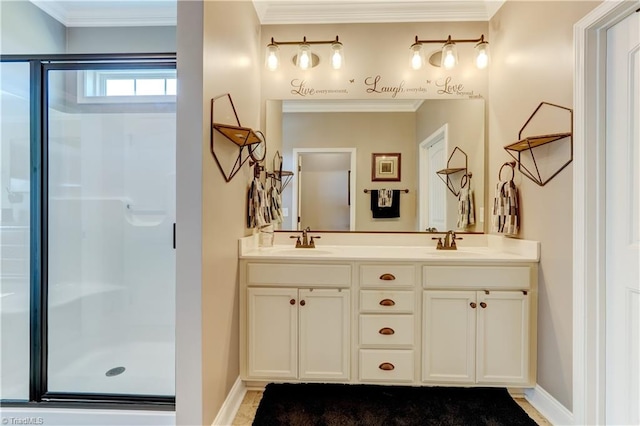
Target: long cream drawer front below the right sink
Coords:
[(477, 277)]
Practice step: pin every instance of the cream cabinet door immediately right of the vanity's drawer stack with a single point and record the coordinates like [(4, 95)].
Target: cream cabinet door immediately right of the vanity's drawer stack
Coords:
[(448, 344)]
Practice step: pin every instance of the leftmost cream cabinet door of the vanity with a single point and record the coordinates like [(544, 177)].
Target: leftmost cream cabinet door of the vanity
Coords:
[(272, 332)]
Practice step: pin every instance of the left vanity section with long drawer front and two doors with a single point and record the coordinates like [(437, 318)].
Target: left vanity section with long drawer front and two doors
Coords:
[(295, 332)]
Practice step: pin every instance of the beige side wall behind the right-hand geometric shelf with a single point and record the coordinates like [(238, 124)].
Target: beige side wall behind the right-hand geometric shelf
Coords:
[(532, 61)]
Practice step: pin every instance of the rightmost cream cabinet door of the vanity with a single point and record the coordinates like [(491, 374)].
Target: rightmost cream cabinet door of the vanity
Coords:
[(503, 338)]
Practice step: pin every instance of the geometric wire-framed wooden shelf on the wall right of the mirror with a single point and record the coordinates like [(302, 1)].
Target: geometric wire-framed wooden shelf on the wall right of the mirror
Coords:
[(528, 143)]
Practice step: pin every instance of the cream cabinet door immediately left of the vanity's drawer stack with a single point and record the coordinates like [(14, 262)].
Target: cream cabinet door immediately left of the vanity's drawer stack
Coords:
[(324, 334)]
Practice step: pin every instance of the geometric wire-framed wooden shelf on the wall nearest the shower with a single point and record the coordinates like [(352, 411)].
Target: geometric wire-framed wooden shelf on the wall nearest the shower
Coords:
[(251, 143)]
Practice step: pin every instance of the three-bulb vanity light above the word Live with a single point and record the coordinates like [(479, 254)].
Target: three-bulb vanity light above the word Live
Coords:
[(305, 58)]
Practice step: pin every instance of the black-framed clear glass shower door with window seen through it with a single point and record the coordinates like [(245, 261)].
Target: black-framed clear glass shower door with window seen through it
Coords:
[(110, 134)]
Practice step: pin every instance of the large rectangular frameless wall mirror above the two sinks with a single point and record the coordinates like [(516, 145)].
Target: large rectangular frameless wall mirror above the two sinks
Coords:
[(332, 147)]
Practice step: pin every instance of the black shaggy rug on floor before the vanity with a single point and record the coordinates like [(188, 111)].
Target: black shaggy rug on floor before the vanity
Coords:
[(338, 404)]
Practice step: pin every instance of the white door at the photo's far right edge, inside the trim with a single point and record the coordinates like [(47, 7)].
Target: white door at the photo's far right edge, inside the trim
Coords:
[(623, 223)]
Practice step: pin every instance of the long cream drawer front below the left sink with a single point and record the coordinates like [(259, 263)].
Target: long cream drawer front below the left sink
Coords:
[(325, 275)]
